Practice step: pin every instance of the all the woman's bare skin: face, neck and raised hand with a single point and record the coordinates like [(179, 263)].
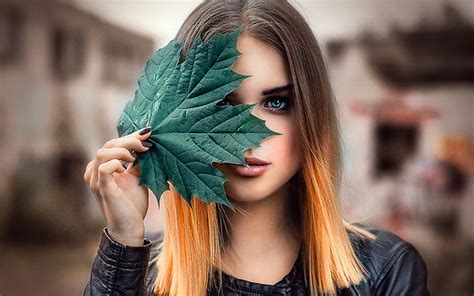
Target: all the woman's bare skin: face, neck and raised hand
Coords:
[(264, 245)]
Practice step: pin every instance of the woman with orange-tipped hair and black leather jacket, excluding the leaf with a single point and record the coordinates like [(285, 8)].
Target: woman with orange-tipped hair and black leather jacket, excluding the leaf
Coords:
[(288, 236)]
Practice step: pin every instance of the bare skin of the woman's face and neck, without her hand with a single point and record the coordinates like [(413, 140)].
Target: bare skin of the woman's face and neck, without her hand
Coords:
[(263, 245)]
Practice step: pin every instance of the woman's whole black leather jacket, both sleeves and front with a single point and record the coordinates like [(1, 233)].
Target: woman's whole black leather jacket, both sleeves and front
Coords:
[(395, 268)]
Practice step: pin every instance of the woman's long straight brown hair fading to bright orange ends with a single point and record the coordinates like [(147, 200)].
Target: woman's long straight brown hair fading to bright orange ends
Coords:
[(194, 237)]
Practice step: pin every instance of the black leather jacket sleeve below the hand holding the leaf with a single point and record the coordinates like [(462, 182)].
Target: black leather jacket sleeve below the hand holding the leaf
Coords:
[(119, 269)]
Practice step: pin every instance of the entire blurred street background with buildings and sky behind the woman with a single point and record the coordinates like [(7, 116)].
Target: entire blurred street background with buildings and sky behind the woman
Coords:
[(402, 71)]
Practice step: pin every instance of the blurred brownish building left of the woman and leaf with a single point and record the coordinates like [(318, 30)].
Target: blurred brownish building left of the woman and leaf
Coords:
[(65, 75)]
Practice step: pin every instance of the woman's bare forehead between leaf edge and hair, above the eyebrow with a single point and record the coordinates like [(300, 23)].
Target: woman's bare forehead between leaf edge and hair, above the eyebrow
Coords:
[(265, 63)]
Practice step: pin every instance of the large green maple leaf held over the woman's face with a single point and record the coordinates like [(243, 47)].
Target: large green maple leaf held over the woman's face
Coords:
[(190, 130)]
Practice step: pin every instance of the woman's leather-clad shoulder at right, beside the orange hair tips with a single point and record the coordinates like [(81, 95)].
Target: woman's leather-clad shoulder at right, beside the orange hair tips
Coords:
[(394, 265)]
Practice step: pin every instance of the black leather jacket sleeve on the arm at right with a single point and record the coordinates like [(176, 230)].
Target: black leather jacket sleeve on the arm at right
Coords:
[(404, 274)]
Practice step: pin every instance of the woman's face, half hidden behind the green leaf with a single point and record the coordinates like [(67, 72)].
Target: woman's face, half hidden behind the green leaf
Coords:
[(270, 71)]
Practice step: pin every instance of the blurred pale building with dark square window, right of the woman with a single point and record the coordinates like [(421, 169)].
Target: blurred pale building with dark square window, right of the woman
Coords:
[(414, 88)]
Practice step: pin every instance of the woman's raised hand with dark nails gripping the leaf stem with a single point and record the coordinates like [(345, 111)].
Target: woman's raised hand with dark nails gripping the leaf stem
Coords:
[(123, 202)]
